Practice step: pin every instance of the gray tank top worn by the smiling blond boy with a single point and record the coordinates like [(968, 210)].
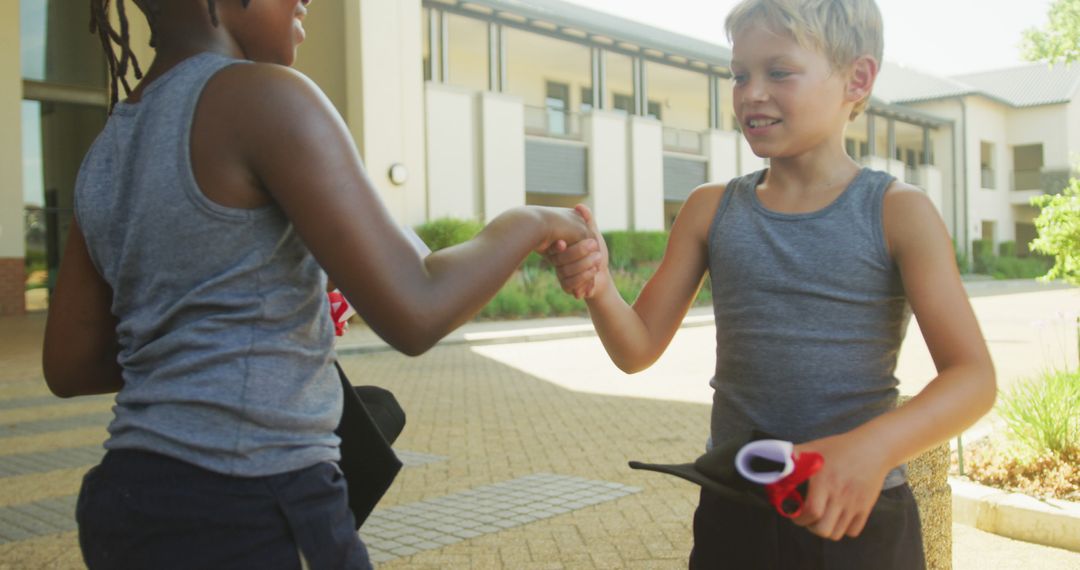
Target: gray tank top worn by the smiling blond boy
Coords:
[(811, 315)]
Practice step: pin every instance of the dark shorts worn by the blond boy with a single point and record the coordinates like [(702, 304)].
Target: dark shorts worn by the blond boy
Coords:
[(728, 535)]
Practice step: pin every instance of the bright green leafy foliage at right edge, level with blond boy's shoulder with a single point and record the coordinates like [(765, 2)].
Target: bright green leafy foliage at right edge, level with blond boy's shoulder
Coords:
[(1059, 227)]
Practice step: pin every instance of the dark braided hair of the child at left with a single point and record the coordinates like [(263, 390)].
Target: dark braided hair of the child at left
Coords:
[(113, 39)]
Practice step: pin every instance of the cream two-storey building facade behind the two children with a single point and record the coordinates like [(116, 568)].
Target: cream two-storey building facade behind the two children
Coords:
[(465, 108)]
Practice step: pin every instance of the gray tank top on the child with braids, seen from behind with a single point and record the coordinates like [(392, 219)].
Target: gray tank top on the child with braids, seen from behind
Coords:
[(225, 335)]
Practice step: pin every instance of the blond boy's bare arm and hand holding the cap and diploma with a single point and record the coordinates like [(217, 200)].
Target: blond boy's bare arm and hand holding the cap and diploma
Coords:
[(843, 494)]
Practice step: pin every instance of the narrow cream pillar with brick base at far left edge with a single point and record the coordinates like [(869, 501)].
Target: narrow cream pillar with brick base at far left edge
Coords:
[(12, 240)]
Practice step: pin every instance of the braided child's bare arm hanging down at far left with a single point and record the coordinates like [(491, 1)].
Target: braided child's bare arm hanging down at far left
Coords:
[(79, 357)]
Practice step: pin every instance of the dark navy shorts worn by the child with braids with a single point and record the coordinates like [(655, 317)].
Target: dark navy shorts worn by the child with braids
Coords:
[(142, 510)]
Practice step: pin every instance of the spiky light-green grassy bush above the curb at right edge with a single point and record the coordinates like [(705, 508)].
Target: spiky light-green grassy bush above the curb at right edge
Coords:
[(1043, 416)]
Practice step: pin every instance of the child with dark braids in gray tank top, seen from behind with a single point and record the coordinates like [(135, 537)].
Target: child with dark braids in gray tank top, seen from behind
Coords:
[(210, 211)]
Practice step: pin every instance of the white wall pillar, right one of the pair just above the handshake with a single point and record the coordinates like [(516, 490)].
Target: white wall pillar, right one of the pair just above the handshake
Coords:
[(646, 174)]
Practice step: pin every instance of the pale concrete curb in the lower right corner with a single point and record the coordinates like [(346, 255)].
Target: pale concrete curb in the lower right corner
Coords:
[(1050, 522)]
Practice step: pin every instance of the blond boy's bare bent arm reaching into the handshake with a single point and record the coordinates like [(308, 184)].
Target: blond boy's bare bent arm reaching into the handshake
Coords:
[(637, 336)]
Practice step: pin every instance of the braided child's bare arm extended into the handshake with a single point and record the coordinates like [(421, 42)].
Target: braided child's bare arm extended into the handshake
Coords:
[(299, 148)]
